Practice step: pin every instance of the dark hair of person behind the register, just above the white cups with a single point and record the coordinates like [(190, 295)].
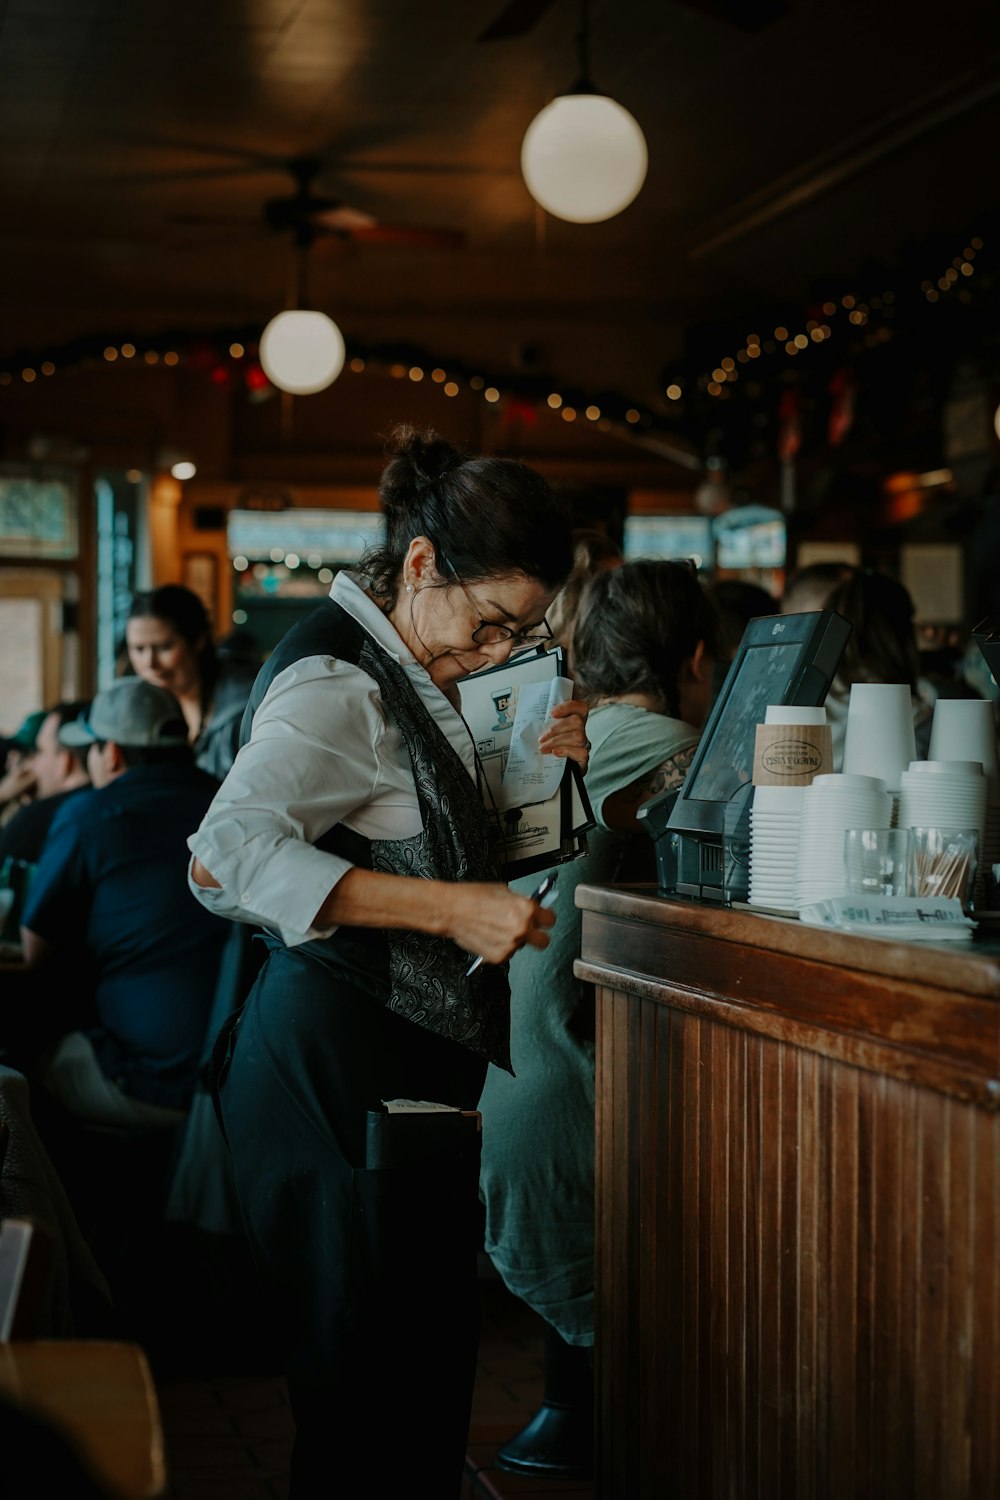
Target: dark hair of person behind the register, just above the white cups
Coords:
[(882, 646)]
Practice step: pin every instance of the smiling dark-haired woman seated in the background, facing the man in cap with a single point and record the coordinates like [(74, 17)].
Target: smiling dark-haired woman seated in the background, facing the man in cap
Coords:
[(169, 641)]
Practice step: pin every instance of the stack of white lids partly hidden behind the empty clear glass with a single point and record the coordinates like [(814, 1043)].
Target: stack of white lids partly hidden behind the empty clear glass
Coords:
[(831, 806)]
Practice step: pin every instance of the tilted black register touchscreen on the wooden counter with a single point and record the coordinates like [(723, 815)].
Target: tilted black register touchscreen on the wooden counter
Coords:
[(782, 659)]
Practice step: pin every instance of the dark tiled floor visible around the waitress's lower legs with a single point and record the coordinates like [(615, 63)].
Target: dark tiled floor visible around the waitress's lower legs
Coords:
[(230, 1438)]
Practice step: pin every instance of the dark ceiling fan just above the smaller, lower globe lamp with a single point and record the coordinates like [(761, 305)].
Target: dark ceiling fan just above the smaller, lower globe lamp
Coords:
[(310, 217)]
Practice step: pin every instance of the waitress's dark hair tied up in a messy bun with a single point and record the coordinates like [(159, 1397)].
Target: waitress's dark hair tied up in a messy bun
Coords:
[(484, 515)]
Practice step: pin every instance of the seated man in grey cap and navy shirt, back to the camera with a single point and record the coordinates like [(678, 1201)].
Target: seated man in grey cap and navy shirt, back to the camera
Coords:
[(130, 967)]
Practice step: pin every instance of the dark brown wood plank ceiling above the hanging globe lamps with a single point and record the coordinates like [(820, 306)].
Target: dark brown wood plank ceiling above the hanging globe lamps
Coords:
[(142, 140)]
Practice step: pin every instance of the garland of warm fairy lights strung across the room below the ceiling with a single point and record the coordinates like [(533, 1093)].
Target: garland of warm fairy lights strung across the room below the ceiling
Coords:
[(230, 353)]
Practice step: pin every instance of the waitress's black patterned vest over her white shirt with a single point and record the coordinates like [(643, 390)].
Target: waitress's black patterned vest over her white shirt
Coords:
[(419, 976)]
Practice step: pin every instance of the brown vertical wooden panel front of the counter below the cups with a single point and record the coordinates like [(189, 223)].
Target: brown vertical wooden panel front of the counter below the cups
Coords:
[(798, 1270)]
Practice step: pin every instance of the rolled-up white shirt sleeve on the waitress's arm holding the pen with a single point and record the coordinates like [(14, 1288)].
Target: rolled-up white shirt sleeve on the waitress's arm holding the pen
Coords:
[(317, 757)]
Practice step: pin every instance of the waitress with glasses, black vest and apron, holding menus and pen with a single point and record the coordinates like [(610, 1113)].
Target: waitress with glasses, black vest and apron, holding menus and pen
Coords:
[(353, 832)]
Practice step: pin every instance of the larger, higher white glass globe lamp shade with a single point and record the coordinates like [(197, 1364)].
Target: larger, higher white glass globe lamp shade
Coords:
[(584, 158)]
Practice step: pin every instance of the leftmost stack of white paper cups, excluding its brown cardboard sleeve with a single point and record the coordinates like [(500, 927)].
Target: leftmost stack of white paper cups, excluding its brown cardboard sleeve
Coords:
[(776, 817)]
